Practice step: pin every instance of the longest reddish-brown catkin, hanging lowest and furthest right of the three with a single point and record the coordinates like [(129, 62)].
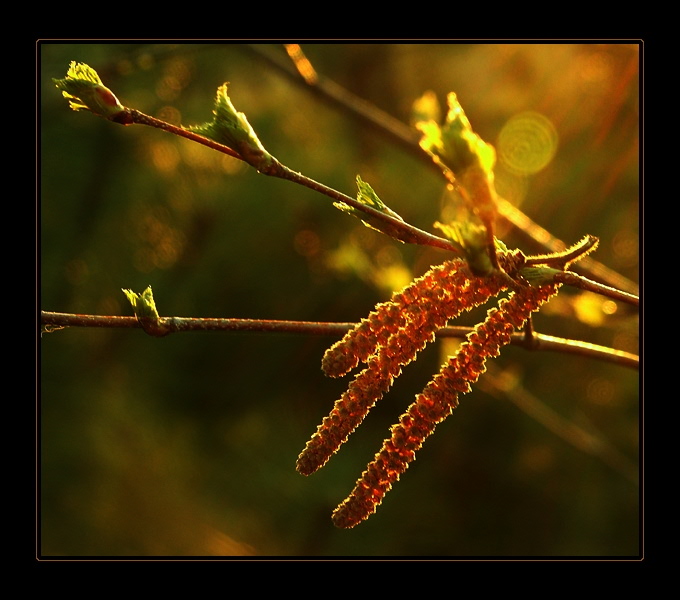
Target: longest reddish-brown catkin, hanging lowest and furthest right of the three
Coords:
[(436, 402)]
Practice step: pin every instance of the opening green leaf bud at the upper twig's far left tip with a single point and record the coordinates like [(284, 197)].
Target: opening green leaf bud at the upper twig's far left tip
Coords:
[(85, 91)]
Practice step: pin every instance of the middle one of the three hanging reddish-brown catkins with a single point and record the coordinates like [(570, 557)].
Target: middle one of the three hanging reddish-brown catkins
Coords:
[(442, 294)]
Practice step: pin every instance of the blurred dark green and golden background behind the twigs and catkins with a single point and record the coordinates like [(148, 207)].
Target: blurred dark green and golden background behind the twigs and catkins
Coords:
[(186, 445)]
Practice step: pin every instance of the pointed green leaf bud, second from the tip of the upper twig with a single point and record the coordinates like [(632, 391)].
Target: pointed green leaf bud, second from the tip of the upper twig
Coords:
[(231, 128)]
